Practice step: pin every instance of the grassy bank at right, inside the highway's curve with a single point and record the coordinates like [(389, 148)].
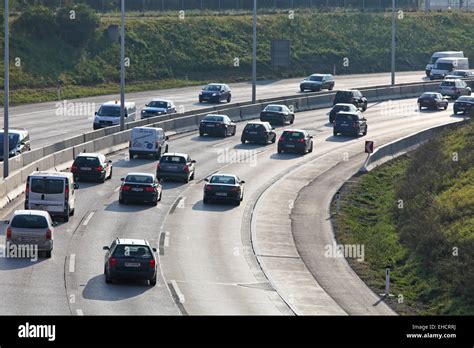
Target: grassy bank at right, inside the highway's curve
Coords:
[(416, 214)]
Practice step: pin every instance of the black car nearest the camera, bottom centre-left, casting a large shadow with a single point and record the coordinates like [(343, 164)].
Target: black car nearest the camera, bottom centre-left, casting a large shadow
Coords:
[(132, 259)]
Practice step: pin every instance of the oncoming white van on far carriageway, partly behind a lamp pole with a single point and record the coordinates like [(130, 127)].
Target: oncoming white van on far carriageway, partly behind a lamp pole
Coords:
[(109, 114)]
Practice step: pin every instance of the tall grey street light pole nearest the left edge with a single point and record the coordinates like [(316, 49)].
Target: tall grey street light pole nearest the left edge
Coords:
[(6, 96)]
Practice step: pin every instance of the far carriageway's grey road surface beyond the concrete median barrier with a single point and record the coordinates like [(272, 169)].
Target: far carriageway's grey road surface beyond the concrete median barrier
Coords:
[(54, 121)]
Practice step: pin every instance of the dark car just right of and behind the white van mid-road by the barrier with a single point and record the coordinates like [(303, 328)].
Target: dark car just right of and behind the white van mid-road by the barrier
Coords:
[(175, 166)]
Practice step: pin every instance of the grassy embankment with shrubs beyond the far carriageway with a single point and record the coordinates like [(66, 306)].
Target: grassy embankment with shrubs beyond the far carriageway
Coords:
[(167, 51)]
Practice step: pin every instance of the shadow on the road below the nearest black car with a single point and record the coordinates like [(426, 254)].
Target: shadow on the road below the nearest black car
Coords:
[(97, 289)]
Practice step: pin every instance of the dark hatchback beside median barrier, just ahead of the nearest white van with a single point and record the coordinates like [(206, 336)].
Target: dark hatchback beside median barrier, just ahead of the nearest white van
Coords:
[(91, 166)]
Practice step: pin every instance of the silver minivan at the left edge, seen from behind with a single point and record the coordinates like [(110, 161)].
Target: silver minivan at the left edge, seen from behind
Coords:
[(30, 228)]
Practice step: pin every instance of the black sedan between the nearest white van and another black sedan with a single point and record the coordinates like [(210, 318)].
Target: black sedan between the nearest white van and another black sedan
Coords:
[(140, 187)]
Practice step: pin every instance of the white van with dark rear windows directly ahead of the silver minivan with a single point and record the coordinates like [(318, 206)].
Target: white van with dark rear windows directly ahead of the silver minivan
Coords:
[(53, 192)]
